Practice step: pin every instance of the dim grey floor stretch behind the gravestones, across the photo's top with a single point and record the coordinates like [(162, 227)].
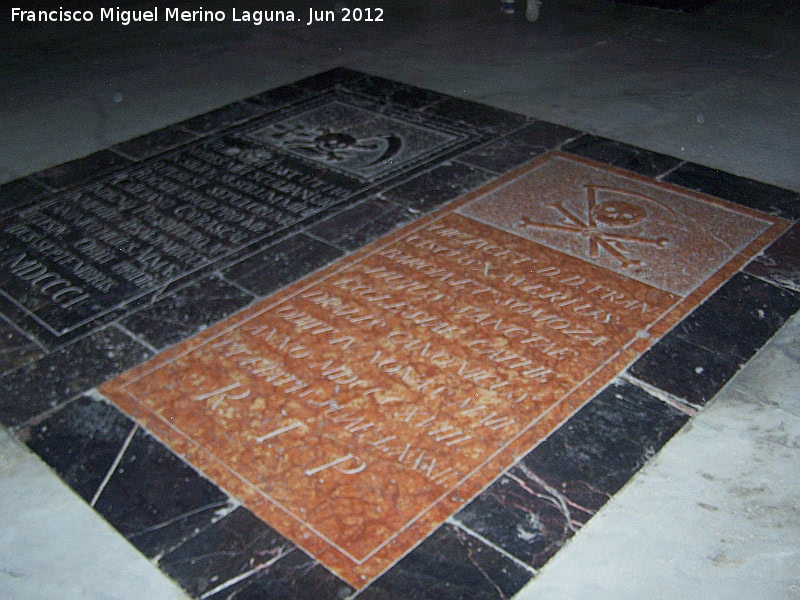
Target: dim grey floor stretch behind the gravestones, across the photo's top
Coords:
[(718, 87)]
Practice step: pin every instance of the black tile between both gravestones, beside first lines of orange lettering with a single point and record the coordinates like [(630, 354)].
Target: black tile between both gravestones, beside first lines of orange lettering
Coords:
[(363, 223)]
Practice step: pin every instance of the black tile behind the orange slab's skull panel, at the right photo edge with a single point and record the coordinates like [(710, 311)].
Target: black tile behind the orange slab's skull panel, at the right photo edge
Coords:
[(753, 194)]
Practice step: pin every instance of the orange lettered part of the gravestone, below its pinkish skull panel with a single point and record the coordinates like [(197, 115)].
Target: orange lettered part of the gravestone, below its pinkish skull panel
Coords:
[(409, 367)]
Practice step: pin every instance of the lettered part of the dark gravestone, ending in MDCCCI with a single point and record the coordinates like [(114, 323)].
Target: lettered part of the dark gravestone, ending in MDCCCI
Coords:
[(75, 257)]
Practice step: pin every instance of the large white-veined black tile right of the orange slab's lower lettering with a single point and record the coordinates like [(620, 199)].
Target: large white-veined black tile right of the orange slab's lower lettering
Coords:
[(539, 504)]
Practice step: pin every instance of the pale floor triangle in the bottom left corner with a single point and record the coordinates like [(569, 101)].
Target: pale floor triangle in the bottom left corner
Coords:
[(52, 545)]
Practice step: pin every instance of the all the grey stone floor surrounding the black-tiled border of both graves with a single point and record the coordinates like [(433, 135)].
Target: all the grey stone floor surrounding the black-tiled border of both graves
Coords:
[(719, 87)]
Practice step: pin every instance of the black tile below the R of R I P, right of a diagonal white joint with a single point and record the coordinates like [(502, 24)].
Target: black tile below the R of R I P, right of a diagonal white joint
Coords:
[(156, 500)]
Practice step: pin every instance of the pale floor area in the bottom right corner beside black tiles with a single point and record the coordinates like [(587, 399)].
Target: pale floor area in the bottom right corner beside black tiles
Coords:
[(715, 514)]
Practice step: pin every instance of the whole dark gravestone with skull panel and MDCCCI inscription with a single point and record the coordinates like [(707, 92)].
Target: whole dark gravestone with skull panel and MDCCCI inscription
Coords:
[(89, 252)]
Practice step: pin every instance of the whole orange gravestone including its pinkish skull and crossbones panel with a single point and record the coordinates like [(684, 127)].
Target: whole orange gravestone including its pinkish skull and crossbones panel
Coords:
[(357, 409)]
